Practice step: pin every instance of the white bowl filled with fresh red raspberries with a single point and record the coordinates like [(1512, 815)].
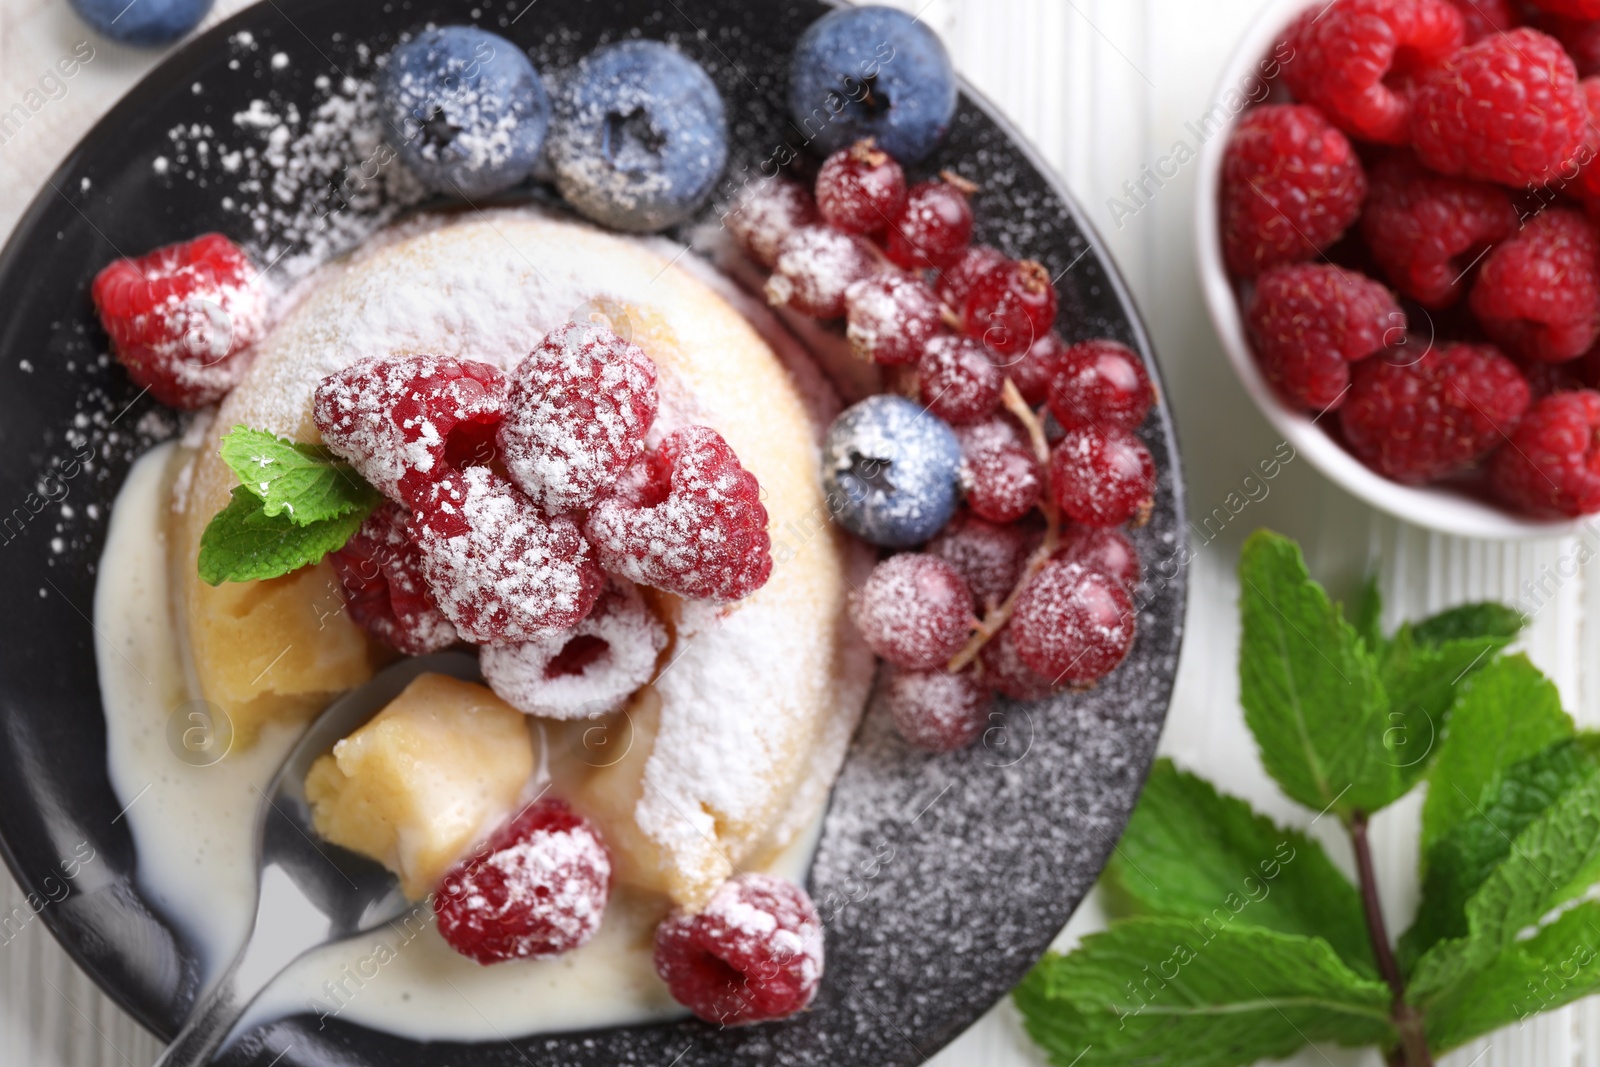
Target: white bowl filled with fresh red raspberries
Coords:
[(1399, 238)]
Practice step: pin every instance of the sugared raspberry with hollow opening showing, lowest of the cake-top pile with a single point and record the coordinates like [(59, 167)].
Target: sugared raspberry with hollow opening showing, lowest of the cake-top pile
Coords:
[(588, 671)]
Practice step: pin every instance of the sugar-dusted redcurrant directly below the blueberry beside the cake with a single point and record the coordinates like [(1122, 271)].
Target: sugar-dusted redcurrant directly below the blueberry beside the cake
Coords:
[(914, 612)]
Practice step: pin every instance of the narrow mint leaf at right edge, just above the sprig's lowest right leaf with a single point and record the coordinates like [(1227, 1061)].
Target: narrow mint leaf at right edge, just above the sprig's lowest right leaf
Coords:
[(1553, 861)]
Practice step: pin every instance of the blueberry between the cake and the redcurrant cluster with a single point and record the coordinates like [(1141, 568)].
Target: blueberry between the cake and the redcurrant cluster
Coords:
[(890, 471)]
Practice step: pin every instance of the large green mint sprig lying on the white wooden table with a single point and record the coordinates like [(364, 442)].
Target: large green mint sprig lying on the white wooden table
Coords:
[(1239, 940)]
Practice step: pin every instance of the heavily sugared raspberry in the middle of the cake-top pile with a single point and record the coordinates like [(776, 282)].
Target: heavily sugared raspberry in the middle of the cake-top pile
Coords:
[(500, 569)]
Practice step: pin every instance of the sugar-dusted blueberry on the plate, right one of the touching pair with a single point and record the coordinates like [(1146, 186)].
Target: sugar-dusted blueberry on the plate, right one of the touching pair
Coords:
[(639, 137)]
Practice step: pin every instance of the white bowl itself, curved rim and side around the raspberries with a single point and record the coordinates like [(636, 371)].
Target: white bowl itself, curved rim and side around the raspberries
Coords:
[(1436, 508)]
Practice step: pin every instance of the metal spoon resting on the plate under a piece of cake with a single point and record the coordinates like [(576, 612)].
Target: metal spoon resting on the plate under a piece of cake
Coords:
[(310, 893)]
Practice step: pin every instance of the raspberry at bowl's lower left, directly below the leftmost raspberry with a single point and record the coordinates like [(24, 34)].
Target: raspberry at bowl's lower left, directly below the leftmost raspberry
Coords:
[(1311, 322)]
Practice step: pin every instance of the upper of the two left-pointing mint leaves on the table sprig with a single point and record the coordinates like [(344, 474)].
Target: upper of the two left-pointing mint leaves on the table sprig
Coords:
[(1194, 853)]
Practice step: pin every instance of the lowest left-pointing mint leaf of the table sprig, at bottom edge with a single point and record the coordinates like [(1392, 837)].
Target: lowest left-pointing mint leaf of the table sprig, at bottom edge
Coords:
[(1166, 993)]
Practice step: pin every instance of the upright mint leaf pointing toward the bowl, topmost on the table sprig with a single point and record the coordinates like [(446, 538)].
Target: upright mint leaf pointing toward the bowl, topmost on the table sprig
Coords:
[(1311, 687)]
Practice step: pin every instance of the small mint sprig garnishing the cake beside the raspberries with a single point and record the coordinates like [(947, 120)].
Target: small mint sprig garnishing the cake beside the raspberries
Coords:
[(294, 506)]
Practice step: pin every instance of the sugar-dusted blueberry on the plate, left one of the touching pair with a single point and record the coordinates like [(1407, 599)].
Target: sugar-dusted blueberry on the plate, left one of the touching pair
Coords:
[(466, 110)]
